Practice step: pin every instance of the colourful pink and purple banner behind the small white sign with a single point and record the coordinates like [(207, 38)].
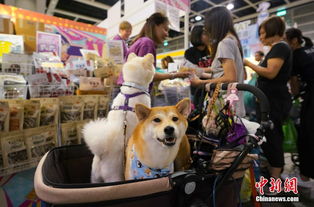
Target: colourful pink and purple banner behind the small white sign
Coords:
[(73, 40)]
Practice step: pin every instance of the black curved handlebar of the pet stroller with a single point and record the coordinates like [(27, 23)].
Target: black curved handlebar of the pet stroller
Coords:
[(263, 101)]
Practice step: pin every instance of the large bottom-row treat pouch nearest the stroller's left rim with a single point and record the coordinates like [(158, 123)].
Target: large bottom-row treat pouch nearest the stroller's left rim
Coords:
[(39, 141)]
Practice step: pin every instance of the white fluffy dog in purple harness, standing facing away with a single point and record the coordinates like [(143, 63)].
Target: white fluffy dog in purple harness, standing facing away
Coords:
[(107, 138)]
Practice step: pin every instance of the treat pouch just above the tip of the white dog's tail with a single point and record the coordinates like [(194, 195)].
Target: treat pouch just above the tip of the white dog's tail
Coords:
[(90, 107)]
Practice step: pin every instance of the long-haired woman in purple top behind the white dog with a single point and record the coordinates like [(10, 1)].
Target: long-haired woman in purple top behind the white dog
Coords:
[(153, 33)]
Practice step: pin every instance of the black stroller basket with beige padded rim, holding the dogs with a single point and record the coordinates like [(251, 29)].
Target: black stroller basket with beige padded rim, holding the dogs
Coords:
[(63, 177)]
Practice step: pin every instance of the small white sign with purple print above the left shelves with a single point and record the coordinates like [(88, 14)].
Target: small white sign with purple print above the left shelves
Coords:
[(48, 42)]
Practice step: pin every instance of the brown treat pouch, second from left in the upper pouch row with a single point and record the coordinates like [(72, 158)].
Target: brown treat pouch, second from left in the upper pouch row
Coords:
[(16, 114)]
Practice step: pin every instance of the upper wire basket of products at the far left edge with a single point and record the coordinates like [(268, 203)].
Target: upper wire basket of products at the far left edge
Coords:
[(24, 69)]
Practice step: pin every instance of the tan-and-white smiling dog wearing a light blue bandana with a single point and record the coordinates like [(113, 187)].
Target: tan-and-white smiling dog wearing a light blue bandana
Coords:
[(158, 145)]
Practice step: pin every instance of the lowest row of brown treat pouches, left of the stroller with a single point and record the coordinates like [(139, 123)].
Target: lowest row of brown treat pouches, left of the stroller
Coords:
[(22, 149)]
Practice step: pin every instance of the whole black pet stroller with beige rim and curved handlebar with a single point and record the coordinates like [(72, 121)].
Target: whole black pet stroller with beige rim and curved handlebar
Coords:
[(62, 177)]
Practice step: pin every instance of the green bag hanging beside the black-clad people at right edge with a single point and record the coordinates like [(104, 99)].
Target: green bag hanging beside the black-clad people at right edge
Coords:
[(290, 136)]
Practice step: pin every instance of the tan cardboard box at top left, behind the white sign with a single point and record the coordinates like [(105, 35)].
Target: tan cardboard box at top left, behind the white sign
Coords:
[(28, 29)]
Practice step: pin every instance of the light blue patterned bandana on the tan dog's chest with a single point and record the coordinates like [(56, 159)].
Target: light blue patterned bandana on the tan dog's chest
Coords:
[(141, 171)]
